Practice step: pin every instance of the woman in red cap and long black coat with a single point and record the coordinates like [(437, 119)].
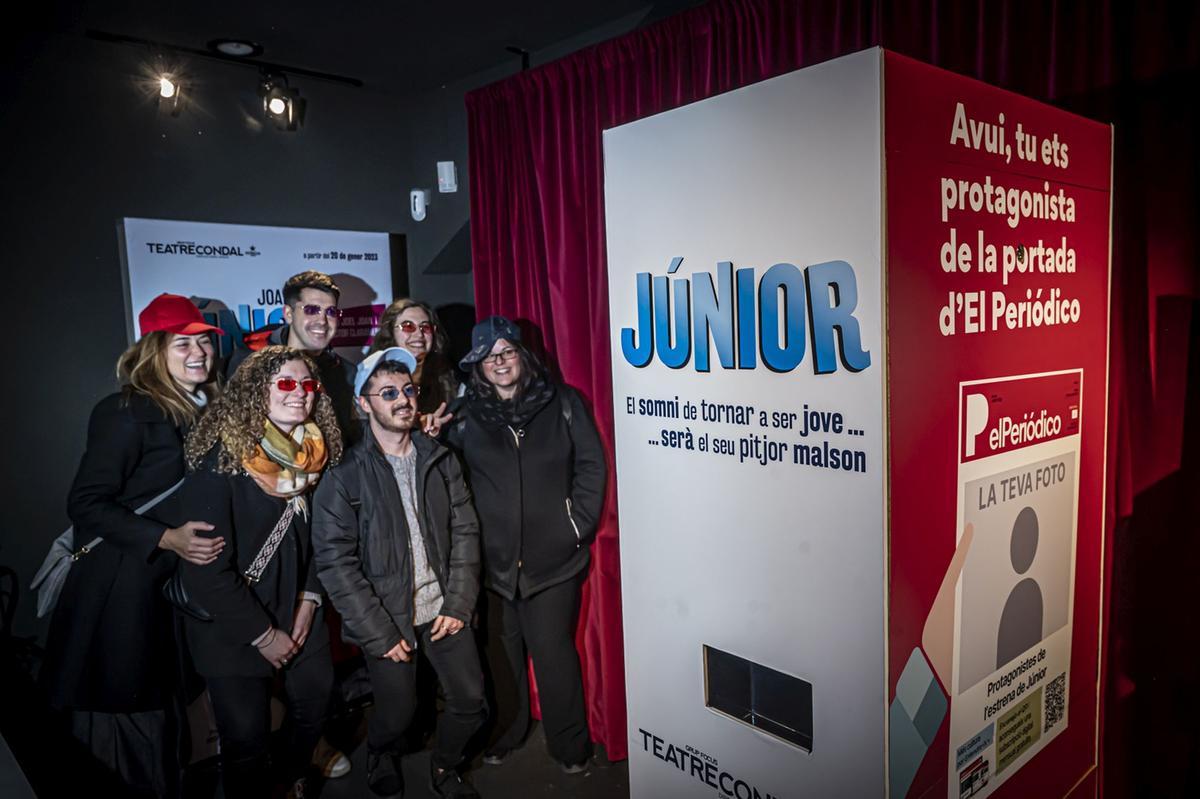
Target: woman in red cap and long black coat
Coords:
[(111, 654)]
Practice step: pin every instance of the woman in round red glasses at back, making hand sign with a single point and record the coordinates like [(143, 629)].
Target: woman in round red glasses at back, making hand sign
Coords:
[(415, 326)]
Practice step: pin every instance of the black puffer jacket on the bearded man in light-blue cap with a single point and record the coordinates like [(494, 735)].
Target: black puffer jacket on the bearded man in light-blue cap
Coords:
[(361, 538)]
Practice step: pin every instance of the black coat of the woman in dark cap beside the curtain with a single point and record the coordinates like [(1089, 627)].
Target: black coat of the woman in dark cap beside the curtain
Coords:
[(539, 491)]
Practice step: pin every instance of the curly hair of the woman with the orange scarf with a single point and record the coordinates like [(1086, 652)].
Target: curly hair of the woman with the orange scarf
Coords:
[(237, 419)]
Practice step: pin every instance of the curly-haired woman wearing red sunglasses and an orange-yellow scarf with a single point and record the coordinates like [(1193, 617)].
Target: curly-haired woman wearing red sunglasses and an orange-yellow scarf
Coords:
[(256, 458)]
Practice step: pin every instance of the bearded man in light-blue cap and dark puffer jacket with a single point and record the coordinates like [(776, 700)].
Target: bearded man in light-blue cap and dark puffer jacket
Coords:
[(397, 544)]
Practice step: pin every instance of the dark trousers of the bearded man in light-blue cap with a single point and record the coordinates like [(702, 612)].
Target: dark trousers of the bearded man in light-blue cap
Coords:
[(457, 662)]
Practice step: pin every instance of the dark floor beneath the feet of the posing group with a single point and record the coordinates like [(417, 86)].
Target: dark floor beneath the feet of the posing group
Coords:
[(527, 773)]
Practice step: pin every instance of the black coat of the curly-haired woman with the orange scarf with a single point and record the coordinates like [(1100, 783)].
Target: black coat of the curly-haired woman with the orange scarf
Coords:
[(245, 516)]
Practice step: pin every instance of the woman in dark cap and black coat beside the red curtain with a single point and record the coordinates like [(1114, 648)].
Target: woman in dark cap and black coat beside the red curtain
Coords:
[(538, 474)]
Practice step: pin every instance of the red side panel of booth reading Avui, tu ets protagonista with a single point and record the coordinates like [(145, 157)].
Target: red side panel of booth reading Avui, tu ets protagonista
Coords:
[(998, 220)]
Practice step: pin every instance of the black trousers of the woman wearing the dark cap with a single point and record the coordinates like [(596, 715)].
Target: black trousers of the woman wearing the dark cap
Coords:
[(544, 626)]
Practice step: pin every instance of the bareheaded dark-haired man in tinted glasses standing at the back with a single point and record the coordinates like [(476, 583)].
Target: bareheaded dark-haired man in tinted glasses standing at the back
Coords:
[(310, 323)]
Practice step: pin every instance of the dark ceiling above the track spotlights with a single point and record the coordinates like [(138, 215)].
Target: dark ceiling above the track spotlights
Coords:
[(399, 47)]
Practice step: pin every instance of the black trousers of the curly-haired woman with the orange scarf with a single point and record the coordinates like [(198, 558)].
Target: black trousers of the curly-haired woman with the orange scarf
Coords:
[(242, 707)]
